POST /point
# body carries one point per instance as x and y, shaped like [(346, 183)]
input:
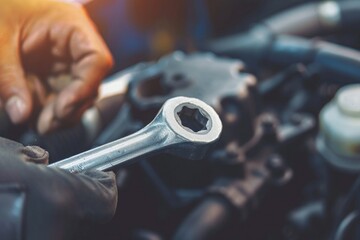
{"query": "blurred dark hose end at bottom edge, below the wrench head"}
[(207, 221)]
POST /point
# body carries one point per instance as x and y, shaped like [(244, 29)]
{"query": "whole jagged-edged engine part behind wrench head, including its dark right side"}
[(222, 83)]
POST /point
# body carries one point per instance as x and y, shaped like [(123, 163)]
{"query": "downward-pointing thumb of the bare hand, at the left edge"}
[(14, 92)]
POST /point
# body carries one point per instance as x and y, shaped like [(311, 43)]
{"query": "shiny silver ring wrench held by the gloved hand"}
[(184, 127)]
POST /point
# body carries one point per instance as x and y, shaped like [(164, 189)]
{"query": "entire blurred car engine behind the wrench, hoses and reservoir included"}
[(288, 160)]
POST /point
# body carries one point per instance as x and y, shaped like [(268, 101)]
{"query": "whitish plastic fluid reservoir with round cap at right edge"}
[(339, 138)]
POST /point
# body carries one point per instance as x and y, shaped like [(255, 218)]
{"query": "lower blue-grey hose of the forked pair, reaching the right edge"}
[(260, 48)]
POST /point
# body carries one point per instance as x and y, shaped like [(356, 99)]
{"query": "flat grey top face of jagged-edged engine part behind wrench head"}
[(201, 75)]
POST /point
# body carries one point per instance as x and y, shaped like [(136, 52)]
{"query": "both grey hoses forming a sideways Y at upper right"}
[(277, 40)]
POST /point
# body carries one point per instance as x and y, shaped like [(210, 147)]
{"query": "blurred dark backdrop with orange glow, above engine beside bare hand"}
[(139, 30)]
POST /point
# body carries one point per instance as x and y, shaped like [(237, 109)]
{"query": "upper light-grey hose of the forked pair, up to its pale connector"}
[(252, 45)]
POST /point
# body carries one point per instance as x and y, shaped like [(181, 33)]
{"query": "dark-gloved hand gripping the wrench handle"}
[(41, 203)]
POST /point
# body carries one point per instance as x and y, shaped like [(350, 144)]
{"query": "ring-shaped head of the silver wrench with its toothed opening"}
[(195, 126)]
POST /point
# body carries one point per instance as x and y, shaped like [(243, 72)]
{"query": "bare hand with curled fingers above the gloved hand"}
[(52, 61)]
